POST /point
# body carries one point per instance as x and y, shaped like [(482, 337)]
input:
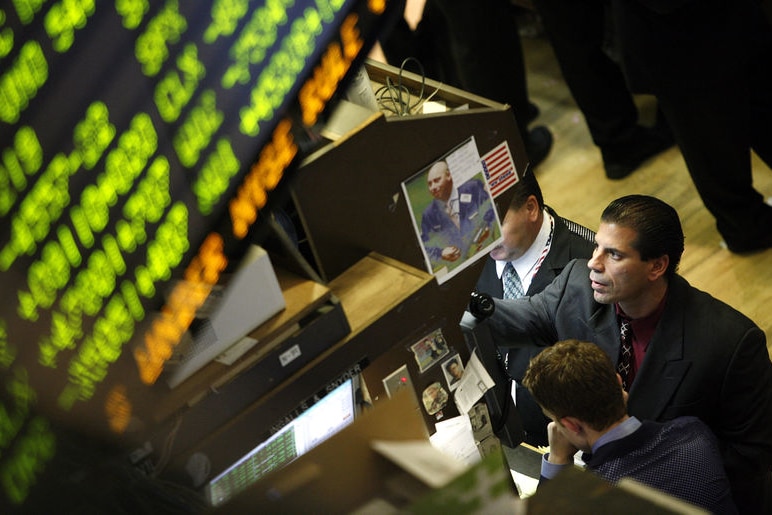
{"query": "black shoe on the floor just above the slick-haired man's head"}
[(644, 143)]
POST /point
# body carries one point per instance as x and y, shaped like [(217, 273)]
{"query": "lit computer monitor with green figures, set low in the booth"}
[(326, 417)]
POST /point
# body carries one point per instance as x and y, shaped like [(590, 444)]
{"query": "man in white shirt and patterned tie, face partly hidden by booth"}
[(538, 243)]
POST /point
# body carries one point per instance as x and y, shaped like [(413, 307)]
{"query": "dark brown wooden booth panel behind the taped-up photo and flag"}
[(363, 173)]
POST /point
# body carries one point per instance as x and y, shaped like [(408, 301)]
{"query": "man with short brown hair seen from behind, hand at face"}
[(578, 388)]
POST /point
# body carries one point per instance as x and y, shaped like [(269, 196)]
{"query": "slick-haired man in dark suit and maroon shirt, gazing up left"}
[(691, 353)]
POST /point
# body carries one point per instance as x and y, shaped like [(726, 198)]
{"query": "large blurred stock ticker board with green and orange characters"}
[(139, 142)]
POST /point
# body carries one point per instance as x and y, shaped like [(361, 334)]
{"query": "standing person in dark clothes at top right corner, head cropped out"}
[(709, 64)]
